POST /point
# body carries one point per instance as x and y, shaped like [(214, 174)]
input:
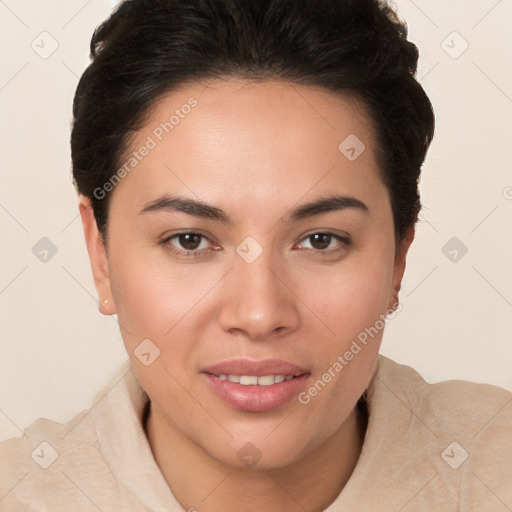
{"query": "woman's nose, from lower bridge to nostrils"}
[(258, 302)]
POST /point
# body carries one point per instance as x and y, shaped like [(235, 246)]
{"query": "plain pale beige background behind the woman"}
[(57, 350)]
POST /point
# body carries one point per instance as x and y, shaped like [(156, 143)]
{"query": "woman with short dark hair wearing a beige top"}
[(248, 178)]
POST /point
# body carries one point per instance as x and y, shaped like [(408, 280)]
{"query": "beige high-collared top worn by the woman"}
[(428, 447)]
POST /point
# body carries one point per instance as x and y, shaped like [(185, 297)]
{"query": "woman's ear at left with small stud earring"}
[(97, 256)]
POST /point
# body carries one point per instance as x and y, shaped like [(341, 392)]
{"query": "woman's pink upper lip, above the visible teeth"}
[(256, 368)]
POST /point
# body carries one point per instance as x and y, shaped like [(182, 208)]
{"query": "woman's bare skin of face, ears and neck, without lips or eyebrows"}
[(256, 151)]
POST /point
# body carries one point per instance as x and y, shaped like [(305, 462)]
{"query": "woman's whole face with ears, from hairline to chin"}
[(244, 243)]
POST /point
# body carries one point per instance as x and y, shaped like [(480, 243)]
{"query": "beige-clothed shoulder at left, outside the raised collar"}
[(54, 465)]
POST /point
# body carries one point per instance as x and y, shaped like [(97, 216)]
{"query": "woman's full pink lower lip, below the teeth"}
[(256, 398)]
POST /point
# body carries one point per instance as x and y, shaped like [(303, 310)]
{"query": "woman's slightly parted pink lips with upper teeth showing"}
[(255, 386)]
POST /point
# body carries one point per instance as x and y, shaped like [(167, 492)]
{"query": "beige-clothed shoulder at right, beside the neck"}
[(452, 439)]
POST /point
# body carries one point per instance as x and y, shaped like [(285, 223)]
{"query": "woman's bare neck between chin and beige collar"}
[(200, 481)]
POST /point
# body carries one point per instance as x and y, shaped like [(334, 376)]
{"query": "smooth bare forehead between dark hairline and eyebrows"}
[(253, 138)]
